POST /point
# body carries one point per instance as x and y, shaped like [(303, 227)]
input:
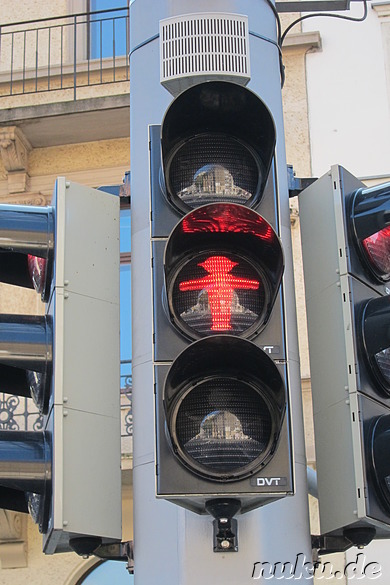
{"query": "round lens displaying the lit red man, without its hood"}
[(218, 294)]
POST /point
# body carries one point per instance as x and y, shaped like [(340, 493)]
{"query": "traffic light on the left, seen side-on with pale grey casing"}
[(67, 475)]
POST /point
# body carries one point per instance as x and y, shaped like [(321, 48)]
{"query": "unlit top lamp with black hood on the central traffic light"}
[(218, 141)]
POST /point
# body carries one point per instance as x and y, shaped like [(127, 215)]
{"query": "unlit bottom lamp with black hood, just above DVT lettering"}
[(224, 400)]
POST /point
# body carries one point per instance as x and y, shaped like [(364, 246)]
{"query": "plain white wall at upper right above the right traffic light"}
[(348, 99)]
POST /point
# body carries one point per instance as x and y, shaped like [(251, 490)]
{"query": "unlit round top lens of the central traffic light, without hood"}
[(213, 167)]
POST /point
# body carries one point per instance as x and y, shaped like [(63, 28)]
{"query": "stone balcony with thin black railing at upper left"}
[(65, 80)]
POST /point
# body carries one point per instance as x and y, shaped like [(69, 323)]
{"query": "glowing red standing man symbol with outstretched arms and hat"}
[(220, 285)]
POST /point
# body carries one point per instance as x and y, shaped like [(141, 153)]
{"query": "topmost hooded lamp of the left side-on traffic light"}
[(27, 247)]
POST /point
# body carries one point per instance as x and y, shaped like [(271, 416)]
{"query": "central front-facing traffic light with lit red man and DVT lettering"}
[(223, 429)]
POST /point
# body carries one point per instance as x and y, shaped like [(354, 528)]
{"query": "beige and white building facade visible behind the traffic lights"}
[(64, 110)]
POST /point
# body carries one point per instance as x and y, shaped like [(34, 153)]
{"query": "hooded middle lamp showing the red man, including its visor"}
[(223, 266)]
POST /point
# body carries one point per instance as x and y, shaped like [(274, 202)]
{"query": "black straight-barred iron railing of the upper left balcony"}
[(64, 53)]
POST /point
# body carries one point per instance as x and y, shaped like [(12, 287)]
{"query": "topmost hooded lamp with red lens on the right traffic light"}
[(370, 216)]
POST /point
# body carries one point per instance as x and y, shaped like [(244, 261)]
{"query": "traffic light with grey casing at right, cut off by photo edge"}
[(346, 252)]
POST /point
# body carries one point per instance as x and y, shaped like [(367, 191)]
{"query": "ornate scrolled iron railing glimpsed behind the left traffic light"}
[(19, 414)]
